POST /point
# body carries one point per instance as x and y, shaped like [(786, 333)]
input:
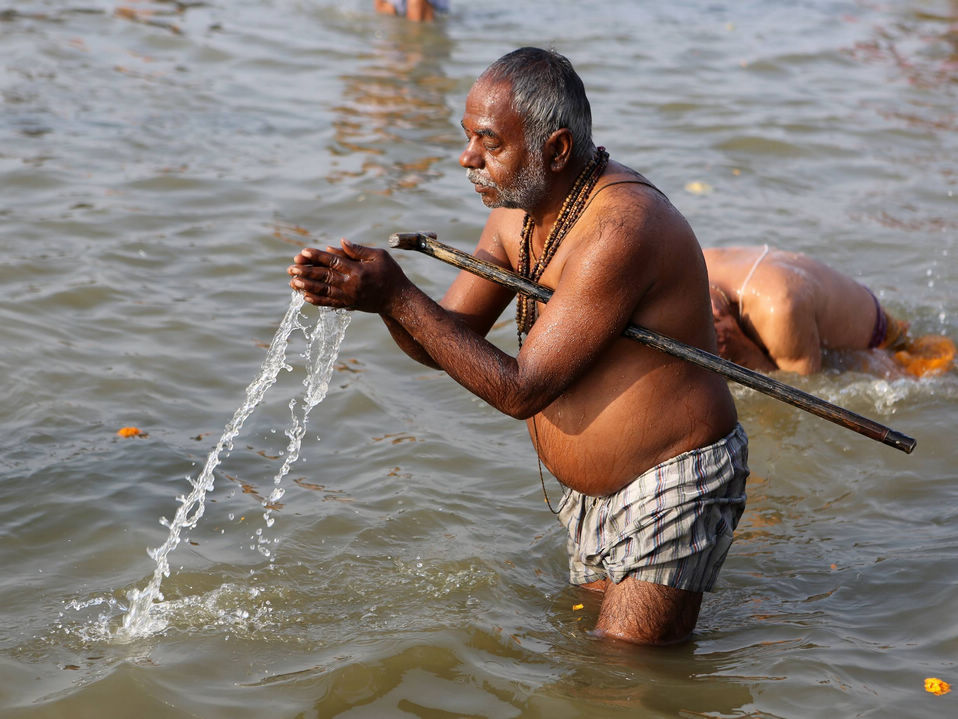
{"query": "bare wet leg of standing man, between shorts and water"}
[(646, 613)]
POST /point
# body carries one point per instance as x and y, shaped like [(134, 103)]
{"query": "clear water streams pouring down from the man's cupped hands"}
[(323, 340)]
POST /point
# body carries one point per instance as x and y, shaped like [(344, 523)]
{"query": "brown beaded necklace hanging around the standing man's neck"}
[(572, 208)]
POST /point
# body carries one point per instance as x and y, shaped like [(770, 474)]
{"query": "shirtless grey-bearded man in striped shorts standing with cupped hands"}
[(647, 446)]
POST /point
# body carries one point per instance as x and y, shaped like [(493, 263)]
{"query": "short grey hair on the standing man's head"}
[(548, 95)]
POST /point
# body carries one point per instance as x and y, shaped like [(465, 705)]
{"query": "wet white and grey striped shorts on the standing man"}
[(672, 525)]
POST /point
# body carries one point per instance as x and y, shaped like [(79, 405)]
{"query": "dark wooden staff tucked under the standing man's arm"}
[(426, 243)]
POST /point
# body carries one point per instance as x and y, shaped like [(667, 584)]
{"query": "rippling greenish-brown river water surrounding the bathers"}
[(160, 164)]
